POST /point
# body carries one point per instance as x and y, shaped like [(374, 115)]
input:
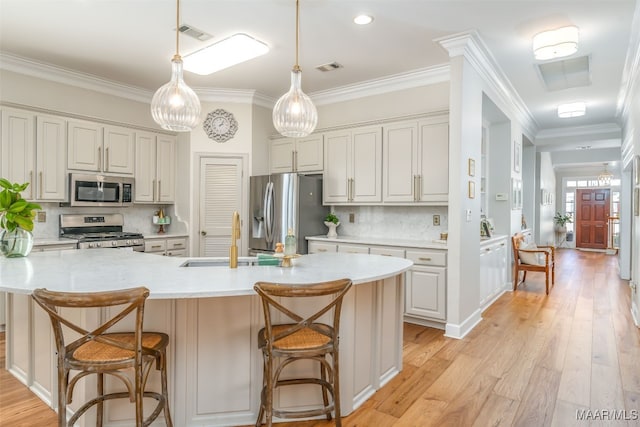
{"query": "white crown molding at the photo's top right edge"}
[(631, 72)]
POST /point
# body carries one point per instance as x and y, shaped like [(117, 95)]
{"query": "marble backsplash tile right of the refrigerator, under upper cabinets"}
[(402, 222)]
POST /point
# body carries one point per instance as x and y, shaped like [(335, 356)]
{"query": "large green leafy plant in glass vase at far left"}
[(14, 210)]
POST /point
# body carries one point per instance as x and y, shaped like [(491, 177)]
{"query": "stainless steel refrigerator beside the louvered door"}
[(282, 201)]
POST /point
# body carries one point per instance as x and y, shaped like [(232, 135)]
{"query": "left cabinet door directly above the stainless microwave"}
[(85, 146)]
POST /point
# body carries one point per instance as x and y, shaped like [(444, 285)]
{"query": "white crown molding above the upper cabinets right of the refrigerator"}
[(393, 83)]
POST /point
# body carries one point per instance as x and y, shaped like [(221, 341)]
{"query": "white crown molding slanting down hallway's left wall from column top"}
[(470, 45)]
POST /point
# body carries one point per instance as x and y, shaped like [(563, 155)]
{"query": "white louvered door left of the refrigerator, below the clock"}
[(220, 196)]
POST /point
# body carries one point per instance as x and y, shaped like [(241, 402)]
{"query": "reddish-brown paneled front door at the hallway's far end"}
[(592, 216)]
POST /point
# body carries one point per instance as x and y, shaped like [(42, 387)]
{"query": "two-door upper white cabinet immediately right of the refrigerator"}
[(353, 167)]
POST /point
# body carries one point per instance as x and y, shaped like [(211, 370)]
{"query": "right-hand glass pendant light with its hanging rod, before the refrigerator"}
[(294, 115)]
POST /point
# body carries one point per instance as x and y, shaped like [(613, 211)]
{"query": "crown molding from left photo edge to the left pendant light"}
[(18, 64)]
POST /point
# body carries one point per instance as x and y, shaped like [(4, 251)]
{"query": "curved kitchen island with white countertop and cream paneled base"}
[(212, 316)]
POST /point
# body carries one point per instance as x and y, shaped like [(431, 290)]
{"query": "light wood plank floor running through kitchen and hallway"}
[(533, 361)]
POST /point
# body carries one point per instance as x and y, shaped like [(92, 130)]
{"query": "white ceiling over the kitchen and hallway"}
[(132, 41)]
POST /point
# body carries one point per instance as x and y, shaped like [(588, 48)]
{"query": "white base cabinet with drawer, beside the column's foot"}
[(425, 293)]
